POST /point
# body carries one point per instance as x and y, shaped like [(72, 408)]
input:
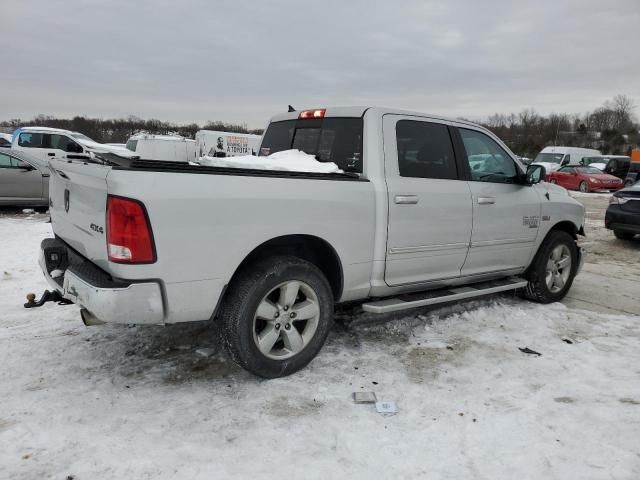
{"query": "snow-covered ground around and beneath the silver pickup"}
[(139, 402)]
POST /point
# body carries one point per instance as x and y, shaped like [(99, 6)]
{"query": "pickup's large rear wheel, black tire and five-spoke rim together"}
[(276, 316)]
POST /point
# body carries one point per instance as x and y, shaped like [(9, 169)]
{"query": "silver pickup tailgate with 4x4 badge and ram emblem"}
[(78, 201)]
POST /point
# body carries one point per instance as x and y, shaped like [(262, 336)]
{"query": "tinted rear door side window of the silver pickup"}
[(425, 150)]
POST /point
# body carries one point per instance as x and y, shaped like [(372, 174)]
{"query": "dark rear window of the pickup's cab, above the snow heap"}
[(337, 140)]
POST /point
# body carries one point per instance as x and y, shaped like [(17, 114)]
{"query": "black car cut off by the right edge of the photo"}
[(623, 214)]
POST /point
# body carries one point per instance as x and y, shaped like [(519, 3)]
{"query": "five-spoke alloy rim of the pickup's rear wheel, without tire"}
[(286, 320)]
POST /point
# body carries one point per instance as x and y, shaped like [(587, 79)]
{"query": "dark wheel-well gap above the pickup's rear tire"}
[(313, 249)]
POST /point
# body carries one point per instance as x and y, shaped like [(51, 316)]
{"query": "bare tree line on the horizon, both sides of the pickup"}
[(610, 128)]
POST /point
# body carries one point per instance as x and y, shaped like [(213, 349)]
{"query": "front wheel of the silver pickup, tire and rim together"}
[(553, 269)]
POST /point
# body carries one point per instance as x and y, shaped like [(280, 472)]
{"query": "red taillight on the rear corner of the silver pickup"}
[(129, 236)]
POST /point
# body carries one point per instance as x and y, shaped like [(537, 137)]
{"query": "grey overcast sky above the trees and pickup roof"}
[(193, 61)]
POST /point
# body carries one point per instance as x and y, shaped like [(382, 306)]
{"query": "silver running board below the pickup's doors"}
[(422, 299)]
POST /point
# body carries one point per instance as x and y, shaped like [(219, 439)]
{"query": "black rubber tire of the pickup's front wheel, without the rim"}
[(537, 289)]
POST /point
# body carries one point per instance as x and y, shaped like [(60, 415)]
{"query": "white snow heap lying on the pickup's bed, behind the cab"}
[(287, 160)]
